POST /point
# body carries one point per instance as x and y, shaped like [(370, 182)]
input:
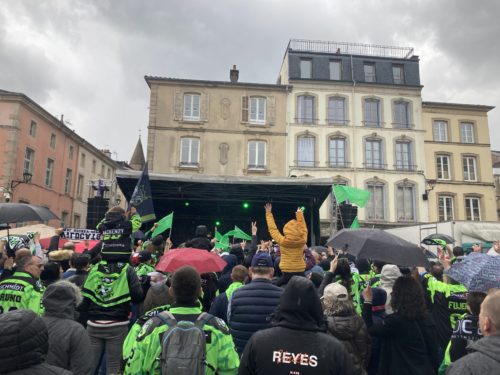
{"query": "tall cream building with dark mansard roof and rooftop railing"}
[(354, 115)]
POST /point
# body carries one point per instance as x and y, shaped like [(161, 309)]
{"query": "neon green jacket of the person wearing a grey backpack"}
[(145, 355)]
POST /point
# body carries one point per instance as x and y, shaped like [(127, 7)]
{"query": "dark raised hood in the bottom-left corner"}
[(24, 340)]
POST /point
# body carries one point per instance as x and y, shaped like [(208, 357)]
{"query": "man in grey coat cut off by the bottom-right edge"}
[(484, 354)]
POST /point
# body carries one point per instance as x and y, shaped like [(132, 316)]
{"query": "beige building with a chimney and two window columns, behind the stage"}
[(217, 128)]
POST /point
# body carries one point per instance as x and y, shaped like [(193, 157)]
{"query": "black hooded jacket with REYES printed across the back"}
[(297, 343)]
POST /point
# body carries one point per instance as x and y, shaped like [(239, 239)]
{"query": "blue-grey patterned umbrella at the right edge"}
[(478, 272)]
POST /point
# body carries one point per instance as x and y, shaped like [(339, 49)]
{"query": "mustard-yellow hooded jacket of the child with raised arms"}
[(292, 243)]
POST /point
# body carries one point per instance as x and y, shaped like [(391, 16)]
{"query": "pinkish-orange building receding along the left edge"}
[(46, 163)]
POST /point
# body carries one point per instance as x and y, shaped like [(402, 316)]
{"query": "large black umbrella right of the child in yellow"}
[(377, 244)]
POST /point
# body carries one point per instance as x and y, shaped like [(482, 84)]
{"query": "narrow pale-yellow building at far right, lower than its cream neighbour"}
[(459, 174)]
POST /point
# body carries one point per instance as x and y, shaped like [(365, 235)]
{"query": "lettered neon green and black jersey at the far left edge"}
[(21, 291)]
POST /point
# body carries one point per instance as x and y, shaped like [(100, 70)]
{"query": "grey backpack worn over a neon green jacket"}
[(183, 345)]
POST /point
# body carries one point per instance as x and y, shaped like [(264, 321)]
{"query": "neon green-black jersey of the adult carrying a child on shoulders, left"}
[(106, 288)]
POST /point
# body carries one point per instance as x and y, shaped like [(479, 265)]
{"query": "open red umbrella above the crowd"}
[(202, 260)]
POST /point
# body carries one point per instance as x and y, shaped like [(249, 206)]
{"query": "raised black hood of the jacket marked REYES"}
[(300, 306)]
